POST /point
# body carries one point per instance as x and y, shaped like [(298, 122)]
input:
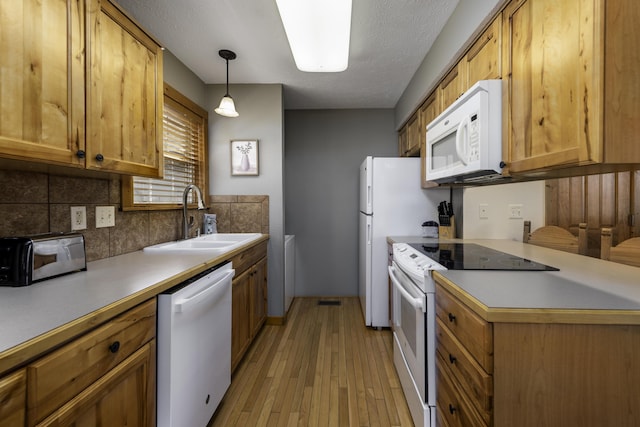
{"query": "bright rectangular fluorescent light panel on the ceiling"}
[(318, 32)]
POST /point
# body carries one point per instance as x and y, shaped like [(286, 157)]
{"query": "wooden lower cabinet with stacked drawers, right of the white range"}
[(533, 374)]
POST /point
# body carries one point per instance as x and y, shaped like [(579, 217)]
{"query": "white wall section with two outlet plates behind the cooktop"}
[(498, 225)]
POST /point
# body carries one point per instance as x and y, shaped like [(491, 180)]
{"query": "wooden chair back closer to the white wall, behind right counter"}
[(554, 237)]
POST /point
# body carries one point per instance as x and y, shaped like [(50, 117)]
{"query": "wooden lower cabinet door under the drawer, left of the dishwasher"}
[(124, 396)]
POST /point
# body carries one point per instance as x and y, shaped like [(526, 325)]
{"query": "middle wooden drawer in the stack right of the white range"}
[(472, 379)]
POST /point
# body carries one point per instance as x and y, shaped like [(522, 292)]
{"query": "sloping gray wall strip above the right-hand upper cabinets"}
[(465, 22)]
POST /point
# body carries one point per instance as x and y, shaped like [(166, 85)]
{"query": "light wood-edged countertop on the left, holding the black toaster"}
[(53, 311)]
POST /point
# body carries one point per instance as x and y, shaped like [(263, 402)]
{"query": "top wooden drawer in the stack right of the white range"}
[(471, 330)]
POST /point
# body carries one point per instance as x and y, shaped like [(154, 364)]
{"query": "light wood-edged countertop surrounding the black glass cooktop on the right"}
[(584, 290)]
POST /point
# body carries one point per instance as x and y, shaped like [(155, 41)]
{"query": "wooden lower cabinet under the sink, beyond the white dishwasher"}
[(248, 299)]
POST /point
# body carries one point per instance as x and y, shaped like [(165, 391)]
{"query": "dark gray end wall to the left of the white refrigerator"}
[(323, 152)]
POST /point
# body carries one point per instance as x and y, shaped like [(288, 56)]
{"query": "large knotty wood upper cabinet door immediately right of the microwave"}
[(553, 116)]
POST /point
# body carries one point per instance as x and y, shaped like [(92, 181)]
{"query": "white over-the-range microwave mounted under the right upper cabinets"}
[(464, 143)]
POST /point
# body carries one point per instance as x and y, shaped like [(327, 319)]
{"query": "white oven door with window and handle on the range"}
[(409, 308)]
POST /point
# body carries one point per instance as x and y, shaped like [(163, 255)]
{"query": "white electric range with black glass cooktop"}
[(413, 306)]
